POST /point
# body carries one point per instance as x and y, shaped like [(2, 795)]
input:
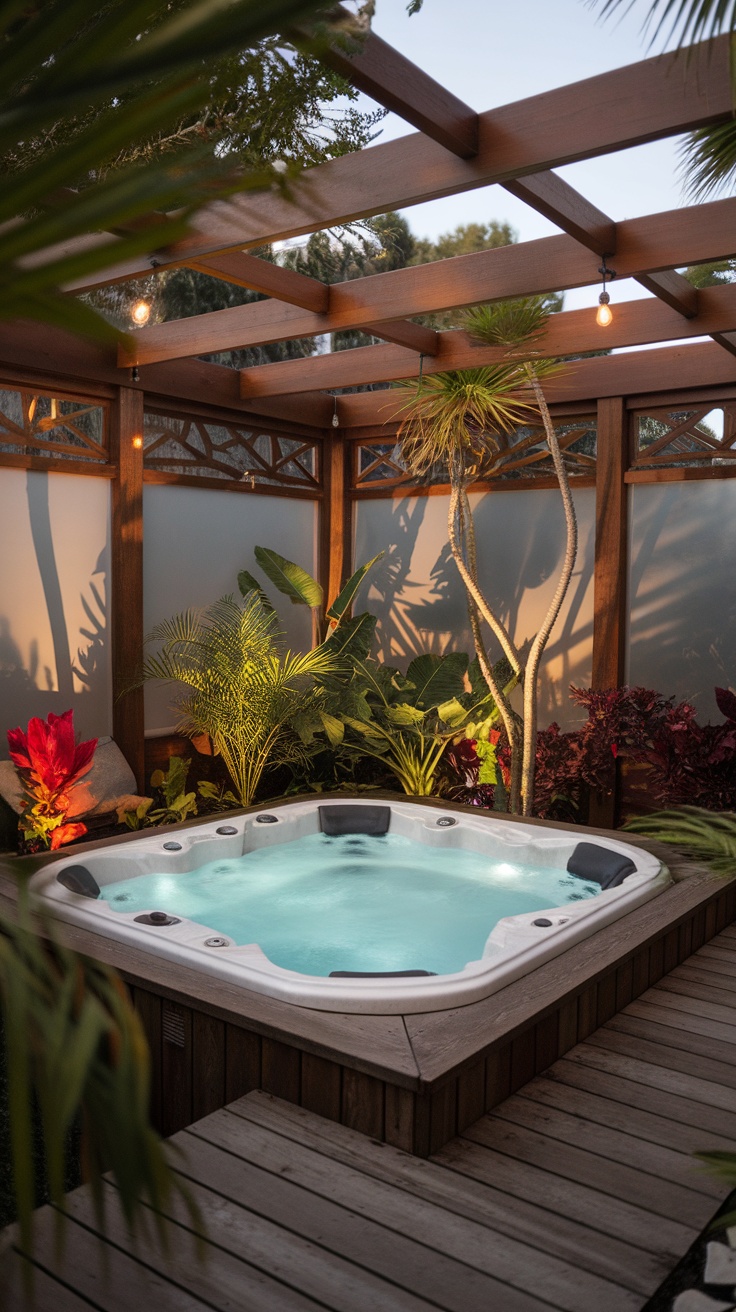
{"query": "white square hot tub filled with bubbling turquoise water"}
[(356, 906)]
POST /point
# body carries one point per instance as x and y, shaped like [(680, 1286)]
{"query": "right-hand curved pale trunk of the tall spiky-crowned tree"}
[(546, 628)]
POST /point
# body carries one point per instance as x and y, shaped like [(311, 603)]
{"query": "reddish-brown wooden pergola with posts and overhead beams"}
[(455, 150)]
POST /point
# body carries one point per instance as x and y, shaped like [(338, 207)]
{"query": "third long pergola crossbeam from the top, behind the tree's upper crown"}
[(570, 334)]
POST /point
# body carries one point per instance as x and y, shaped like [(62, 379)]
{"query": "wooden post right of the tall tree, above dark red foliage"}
[(612, 553)]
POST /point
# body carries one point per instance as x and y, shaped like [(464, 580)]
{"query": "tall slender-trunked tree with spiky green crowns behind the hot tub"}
[(455, 423)]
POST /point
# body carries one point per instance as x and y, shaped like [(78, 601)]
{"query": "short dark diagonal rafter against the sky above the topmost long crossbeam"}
[(378, 70)]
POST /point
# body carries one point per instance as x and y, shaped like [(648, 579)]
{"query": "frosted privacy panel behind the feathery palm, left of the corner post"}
[(195, 544)]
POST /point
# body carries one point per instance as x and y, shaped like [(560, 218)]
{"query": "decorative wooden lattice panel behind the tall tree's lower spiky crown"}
[(520, 456)]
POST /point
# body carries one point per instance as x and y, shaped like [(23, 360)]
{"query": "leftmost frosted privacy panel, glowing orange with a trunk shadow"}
[(54, 586)]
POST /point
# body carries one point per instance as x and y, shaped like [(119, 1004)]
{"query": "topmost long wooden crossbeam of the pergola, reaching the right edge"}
[(642, 103)]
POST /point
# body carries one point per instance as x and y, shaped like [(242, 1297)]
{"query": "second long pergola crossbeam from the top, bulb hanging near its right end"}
[(644, 246)]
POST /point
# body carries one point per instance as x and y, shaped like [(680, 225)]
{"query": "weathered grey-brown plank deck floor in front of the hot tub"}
[(577, 1193)]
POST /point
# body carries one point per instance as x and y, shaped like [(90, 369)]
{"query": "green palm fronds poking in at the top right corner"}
[(709, 154)]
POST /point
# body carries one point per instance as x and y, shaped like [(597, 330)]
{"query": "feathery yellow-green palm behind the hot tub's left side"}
[(237, 687)]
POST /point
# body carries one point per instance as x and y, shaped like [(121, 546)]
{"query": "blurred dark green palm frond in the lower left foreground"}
[(75, 1048)]
